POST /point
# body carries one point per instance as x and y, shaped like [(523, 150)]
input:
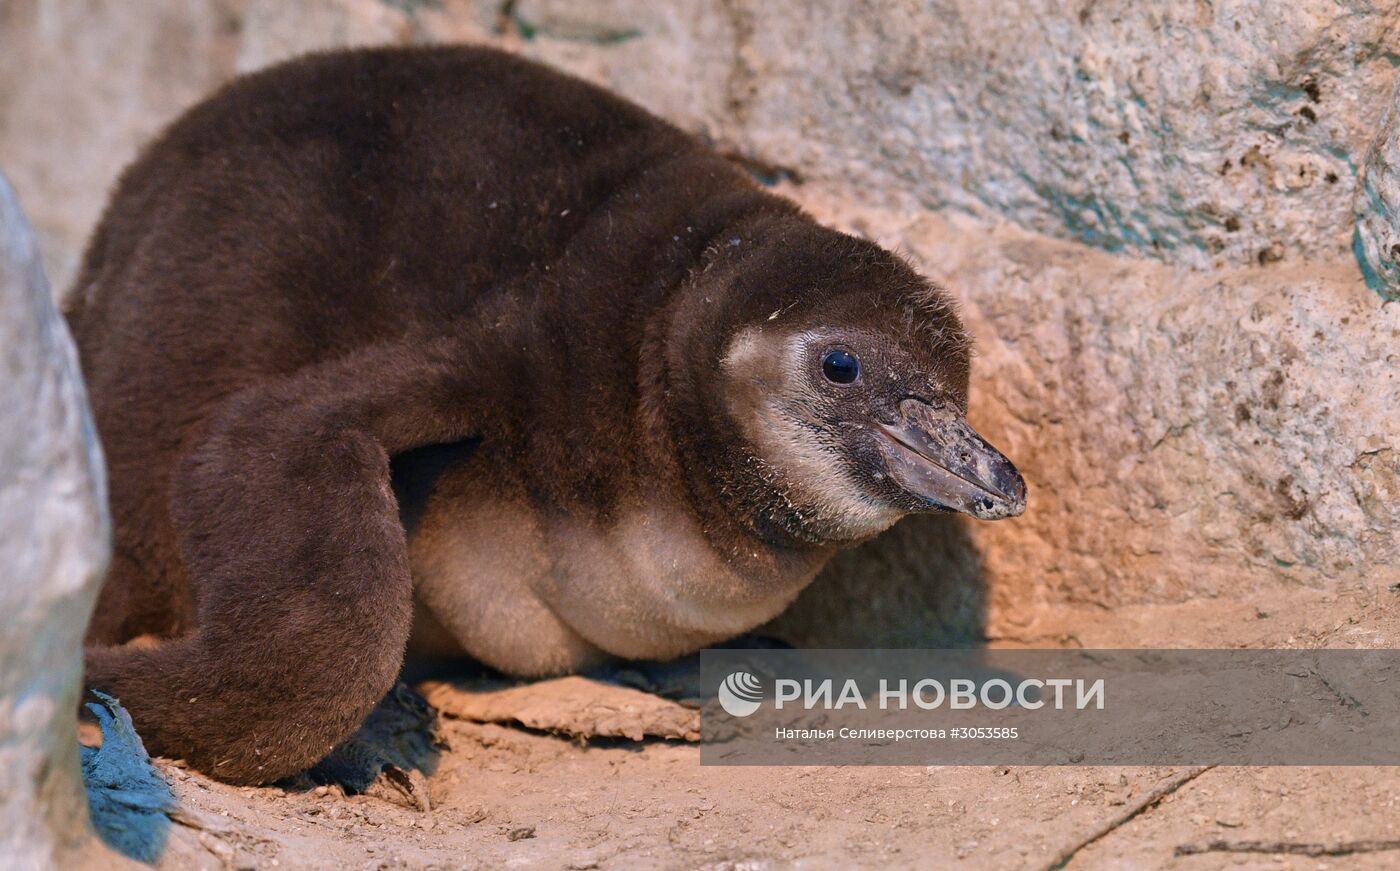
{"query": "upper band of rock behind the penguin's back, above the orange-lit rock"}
[(1192, 132)]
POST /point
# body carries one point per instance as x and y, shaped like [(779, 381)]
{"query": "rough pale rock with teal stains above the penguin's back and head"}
[(1186, 131)]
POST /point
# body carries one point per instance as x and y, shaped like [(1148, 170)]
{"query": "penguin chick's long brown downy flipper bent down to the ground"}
[(290, 534)]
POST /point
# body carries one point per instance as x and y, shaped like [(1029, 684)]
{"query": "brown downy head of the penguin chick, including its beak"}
[(845, 376)]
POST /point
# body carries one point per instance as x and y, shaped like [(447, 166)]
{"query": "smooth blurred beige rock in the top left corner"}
[(83, 86)]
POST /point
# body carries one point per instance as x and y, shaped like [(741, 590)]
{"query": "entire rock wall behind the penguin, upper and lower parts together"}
[(1147, 209)]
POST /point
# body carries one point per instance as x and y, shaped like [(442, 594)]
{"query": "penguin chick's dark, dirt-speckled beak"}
[(932, 453)]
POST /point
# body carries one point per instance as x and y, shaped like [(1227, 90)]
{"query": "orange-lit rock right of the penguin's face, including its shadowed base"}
[(1184, 436)]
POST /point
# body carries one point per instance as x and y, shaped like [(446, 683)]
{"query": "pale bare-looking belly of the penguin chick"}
[(535, 600)]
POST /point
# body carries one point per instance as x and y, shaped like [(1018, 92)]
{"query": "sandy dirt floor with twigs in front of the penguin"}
[(507, 796)]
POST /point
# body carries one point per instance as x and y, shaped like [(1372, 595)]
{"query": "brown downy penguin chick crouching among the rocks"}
[(440, 340)]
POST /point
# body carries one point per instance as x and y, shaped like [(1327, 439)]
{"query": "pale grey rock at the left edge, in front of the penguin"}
[(54, 548)]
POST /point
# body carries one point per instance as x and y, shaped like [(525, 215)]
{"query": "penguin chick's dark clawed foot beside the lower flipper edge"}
[(390, 757)]
